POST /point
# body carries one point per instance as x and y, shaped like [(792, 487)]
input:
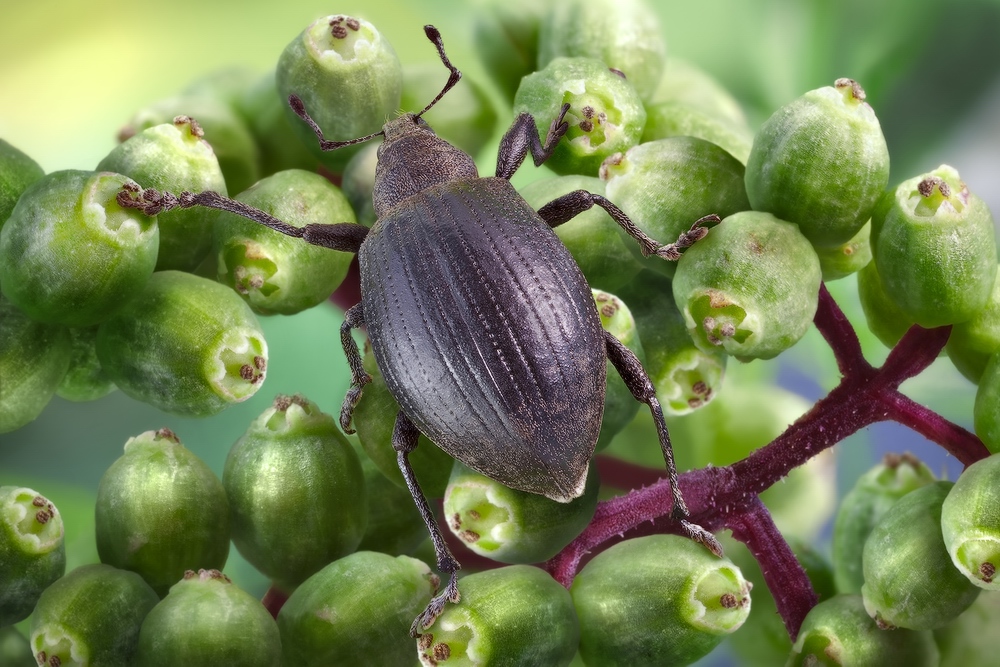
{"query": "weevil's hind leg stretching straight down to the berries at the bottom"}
[(404, 440)]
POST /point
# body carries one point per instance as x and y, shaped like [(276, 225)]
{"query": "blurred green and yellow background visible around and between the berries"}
[(71, 73)]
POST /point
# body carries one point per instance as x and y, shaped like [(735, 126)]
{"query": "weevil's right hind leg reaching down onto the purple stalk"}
[(638, 382)]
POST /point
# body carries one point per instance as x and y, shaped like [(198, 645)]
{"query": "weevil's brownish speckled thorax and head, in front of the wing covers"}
[(412, 158)]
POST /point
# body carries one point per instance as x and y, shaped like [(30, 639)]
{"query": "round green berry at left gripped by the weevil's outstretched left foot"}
[(69, 254)]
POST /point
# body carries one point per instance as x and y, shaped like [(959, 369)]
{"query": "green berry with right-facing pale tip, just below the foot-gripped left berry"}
[(185, 344)]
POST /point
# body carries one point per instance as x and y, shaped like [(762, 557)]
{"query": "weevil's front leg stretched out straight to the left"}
[(345, 236)]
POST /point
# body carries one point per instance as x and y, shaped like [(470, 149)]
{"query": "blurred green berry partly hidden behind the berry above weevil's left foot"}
[(224, 130)]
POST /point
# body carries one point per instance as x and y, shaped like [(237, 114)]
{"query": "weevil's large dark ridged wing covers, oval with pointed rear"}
[(487, 334)]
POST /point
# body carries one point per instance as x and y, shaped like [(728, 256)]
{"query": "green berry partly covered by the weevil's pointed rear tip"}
[(512, 526)]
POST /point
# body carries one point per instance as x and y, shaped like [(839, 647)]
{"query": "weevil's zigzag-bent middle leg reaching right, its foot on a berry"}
[(565, 208)]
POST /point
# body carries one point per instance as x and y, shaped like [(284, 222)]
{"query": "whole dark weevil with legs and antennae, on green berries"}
[(479, 319)]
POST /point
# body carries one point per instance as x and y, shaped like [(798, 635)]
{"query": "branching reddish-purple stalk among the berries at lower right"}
[(728, 496)]
